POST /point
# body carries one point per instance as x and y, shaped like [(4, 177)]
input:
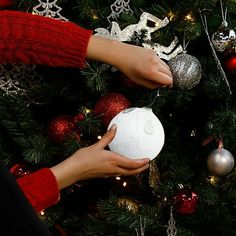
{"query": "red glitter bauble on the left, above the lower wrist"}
[(60, 127)]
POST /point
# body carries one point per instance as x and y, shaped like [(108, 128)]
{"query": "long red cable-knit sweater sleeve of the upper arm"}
[(33, 39)]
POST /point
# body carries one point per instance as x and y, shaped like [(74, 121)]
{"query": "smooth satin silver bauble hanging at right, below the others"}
[(220, 162)]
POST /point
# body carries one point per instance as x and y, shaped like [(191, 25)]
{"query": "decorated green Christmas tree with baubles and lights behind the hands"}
[(49, 113)]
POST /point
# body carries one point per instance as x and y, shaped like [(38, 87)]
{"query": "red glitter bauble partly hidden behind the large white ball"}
[(110, 105)]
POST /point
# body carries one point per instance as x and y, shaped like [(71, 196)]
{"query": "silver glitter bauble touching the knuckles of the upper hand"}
[(186, 71)]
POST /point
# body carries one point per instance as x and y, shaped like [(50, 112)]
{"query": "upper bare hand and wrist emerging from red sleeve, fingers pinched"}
[(140, 64)]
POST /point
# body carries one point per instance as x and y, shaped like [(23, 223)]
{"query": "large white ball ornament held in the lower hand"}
[(139, 134)]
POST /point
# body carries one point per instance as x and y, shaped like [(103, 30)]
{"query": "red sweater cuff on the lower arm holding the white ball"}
[(40, 188)]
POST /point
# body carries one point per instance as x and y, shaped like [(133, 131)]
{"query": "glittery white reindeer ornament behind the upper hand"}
[(126, 34)]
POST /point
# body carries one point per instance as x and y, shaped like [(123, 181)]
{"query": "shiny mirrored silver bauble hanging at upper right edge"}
[(223, 39)]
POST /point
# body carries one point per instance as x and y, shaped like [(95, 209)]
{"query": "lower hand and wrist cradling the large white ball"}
[(96, 162)]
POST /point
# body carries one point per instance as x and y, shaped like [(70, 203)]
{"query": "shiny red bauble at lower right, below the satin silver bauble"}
[(186, 201)]
